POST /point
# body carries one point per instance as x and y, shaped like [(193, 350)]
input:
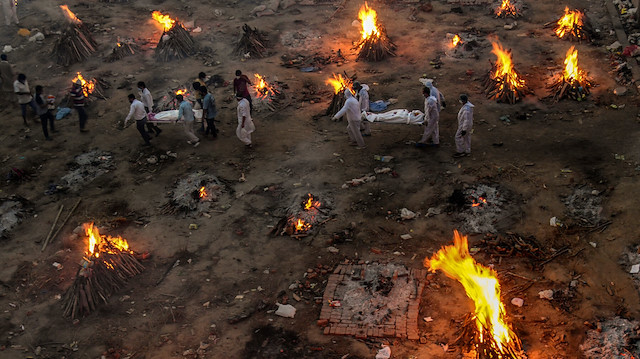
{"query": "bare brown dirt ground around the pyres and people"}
[(218, 302)]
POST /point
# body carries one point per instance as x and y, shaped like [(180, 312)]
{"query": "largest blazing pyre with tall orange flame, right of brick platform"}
[(487, 333)]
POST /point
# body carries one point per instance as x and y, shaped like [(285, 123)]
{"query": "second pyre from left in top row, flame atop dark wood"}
[(176, 42)]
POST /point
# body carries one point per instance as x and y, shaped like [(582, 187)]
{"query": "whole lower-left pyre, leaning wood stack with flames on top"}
[(105, 268)]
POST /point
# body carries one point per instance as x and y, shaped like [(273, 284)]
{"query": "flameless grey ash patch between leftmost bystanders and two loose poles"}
[(85, 168)]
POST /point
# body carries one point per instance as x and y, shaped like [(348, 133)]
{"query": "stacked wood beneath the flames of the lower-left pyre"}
[(97, 280)]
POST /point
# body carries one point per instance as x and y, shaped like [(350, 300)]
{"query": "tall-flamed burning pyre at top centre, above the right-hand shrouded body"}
[(374, 44)]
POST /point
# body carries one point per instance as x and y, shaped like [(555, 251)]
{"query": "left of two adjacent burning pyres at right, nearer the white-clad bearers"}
[(503, 82)]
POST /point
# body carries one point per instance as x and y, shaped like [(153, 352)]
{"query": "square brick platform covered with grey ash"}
[(366, 311)]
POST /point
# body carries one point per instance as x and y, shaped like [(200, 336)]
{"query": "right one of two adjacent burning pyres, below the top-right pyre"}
[(572, 82)]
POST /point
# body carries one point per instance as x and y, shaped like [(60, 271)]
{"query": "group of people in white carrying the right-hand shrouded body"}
[(357, 103)]
